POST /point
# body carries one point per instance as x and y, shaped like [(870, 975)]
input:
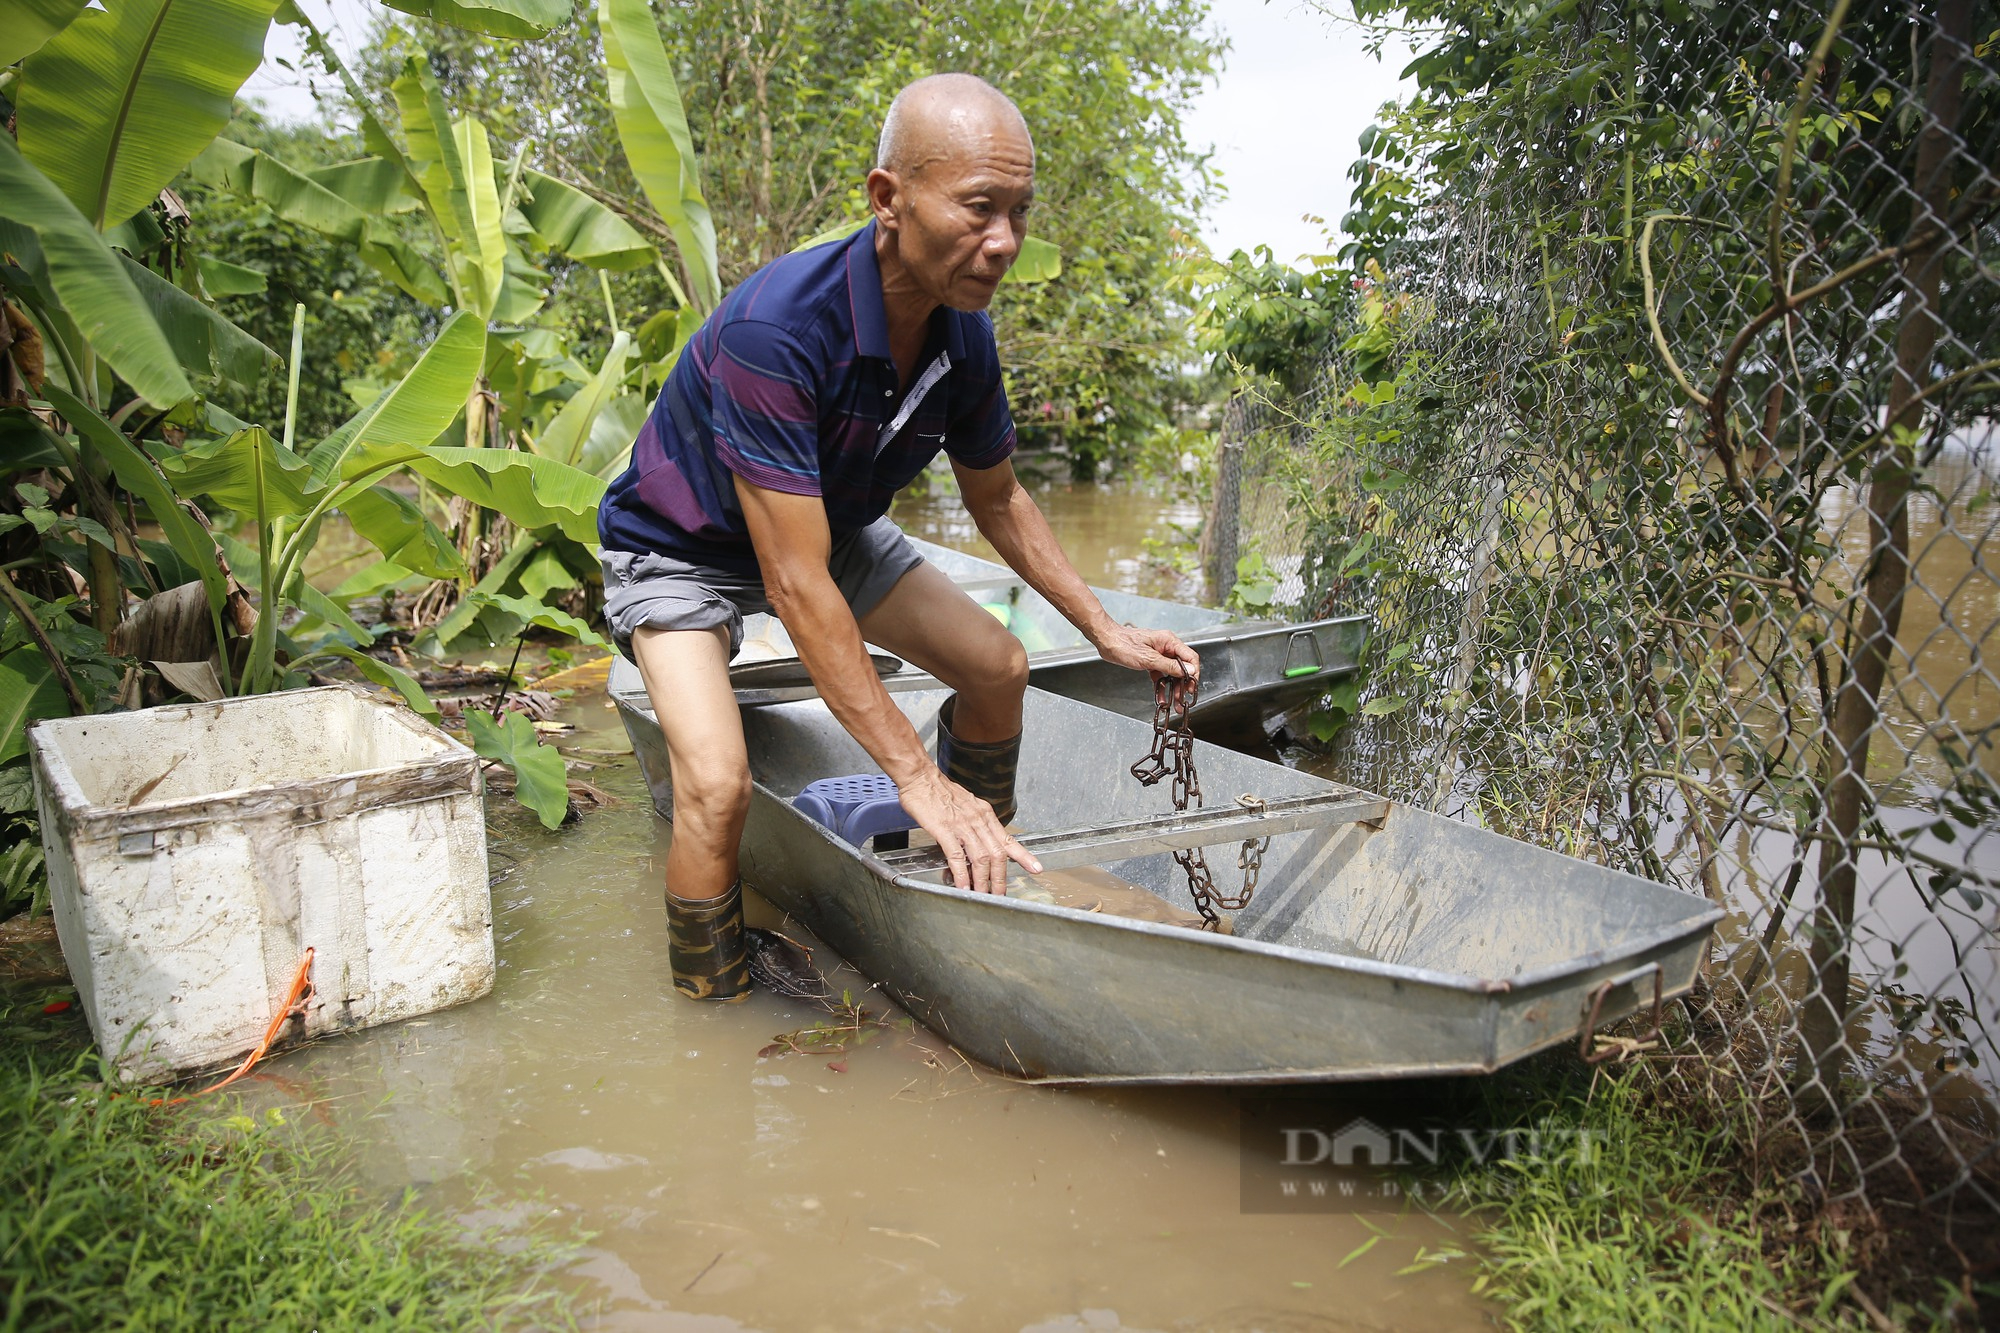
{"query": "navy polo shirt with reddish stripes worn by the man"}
[(791, 387)]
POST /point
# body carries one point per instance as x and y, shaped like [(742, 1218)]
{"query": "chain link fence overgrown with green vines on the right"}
[(1663, 449)]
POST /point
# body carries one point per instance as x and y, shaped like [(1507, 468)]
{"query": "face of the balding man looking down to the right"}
[(965, 213)]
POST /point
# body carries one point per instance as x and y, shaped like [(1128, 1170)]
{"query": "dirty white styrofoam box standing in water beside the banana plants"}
[(197, 852)]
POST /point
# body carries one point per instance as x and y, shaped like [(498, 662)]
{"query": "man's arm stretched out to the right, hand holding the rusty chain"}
[(1009, 517)]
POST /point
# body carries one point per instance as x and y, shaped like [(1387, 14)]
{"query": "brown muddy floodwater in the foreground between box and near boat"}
[(885, 1186)]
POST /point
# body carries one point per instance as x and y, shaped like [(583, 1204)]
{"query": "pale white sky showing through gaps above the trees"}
[(1297, 91)]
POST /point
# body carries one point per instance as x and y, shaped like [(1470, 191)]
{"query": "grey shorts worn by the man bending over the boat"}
[(669, 593)]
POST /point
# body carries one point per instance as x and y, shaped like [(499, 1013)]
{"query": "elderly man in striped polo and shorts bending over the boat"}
[(763, 479)]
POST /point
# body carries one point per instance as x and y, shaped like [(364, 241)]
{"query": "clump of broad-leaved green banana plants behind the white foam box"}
[(103, 295)]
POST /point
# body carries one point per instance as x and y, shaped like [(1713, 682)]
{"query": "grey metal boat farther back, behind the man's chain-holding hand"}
[(1251, 670)]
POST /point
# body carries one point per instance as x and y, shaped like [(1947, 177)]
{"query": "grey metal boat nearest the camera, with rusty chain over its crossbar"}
[(1383, 942)]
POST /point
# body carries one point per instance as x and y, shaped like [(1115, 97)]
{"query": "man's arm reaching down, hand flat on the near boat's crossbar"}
[(793, 545)]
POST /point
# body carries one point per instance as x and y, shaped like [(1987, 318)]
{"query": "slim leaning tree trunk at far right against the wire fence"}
[(1857, 706)]
